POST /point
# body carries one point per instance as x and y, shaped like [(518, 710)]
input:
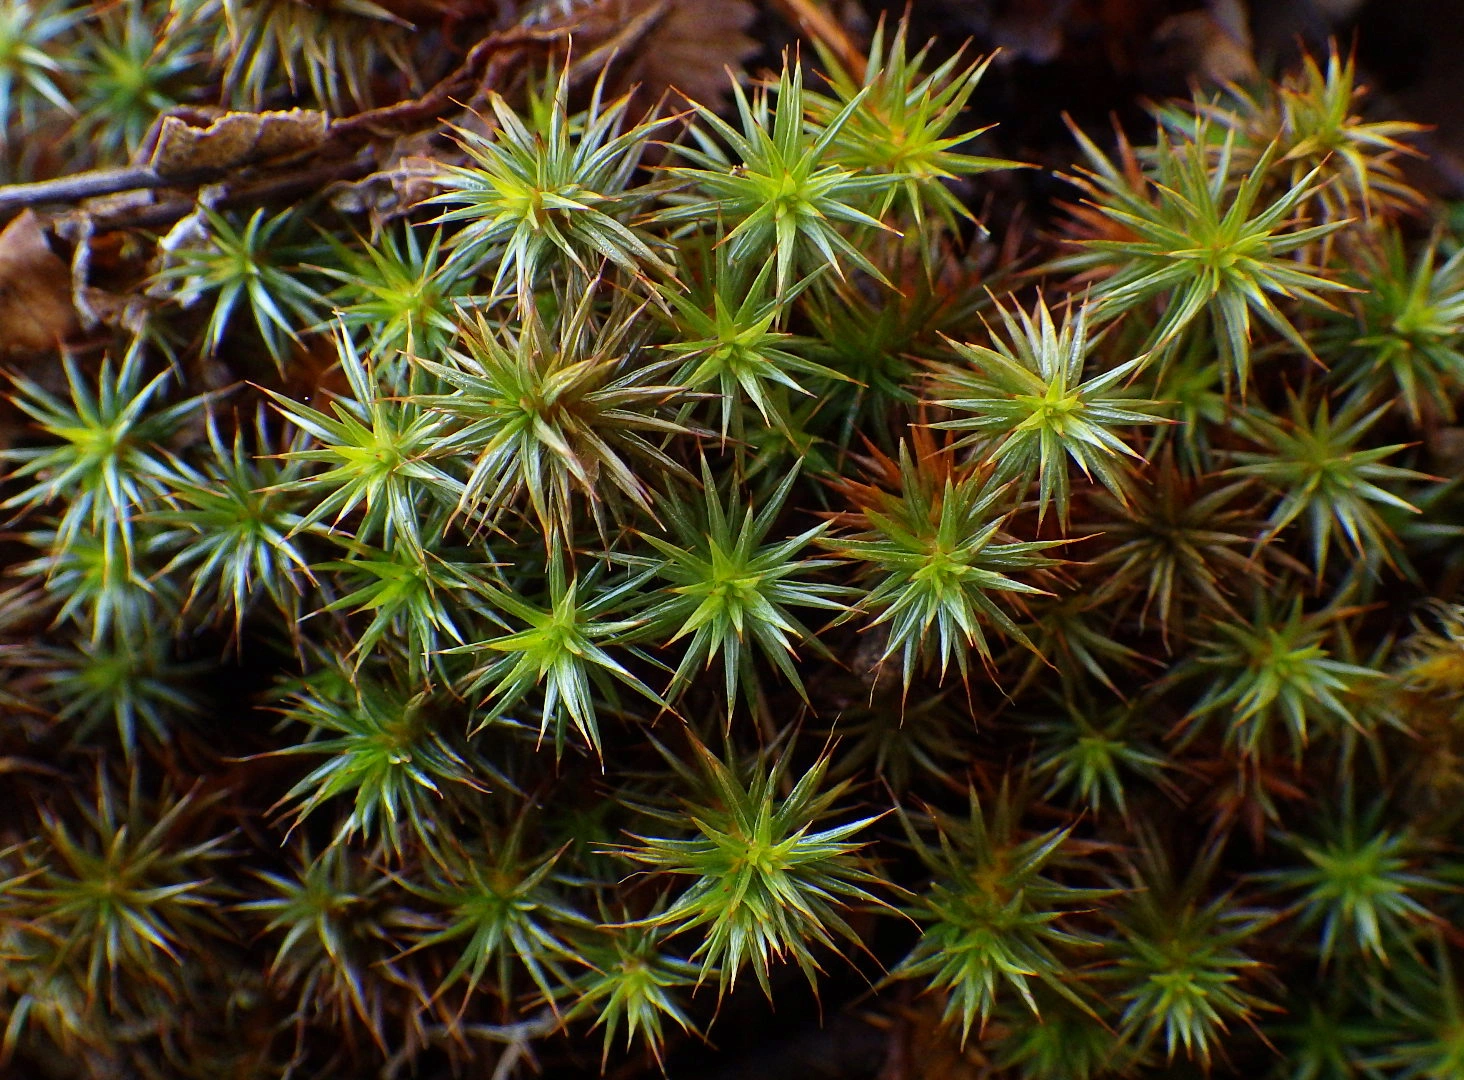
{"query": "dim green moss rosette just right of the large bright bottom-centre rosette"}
[(993, 914)]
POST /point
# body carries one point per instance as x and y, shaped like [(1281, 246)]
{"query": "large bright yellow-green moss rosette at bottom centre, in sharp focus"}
[(768, 883)]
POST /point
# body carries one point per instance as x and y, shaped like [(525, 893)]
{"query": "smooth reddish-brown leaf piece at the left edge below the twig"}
[(36, 290)]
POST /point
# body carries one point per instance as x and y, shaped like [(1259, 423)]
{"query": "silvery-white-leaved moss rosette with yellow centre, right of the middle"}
[(1028, 408)]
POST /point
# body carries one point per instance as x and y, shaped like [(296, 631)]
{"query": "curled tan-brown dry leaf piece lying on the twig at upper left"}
[(235, 140)]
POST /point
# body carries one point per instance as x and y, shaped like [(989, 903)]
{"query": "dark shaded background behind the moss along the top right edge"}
[(1097, 59)]
